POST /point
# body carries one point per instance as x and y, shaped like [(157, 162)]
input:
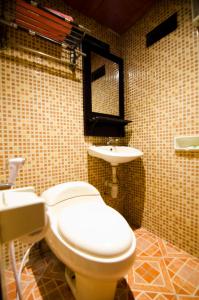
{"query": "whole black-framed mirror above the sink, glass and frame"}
[(103, 90)]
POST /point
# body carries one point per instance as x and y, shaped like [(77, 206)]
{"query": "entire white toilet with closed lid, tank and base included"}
[(92, 239)]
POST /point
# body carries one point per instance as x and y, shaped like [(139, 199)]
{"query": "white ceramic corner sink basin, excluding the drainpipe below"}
[(115, 154)]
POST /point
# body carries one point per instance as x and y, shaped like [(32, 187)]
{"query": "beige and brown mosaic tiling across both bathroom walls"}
[(42, 120)]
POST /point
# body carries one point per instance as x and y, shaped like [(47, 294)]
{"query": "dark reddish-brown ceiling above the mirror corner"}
[(118, 15)]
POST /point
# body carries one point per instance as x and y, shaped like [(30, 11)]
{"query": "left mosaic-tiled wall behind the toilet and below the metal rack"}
[(41, 104)]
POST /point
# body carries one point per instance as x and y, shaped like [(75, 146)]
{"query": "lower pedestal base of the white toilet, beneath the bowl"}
[(85, 288)]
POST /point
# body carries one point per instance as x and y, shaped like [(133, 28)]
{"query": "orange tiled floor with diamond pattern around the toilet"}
[(160, 272)]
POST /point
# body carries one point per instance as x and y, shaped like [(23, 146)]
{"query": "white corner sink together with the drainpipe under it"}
[(115, 155)]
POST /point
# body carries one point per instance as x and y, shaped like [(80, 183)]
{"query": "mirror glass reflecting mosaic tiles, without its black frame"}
[(104, 85)]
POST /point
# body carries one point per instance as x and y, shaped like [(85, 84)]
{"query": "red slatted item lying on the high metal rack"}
[(40, 21)]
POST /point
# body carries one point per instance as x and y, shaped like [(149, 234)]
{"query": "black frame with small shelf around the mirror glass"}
[(99, 124)]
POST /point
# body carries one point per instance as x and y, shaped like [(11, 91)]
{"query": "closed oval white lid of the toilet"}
[(95, 229)]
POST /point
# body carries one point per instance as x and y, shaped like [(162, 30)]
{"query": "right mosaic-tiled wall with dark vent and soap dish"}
[(162, 95)]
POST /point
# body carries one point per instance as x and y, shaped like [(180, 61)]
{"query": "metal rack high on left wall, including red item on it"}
[(50, 25)]
